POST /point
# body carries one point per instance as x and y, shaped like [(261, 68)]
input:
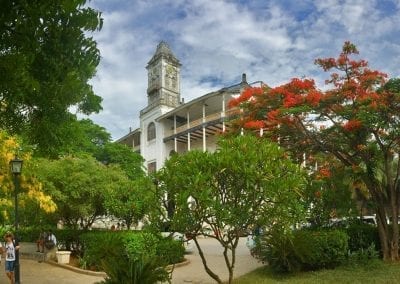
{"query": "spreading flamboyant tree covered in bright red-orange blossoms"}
[(355, 121)]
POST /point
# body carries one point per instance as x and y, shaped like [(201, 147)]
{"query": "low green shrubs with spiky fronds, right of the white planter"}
[(126, 257)]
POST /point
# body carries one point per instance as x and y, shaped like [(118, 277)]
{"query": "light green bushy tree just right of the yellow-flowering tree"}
[(78, 186)]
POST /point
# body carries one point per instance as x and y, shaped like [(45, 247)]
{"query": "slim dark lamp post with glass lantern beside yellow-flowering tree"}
[(16, 168)]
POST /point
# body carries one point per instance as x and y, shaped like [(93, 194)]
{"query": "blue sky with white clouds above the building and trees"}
[(218, 40)]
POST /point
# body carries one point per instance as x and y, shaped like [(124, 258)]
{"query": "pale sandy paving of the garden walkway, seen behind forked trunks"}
[(35, 271)]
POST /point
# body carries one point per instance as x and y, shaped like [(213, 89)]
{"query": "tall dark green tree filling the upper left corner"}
[(47, 58)]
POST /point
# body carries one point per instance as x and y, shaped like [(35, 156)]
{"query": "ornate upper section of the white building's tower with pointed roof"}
[(163, 78)]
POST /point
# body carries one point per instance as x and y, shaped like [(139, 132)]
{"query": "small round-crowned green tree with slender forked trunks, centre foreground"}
[(247, 182)]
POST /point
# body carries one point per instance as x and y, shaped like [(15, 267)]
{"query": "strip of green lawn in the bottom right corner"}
[(374, 272)]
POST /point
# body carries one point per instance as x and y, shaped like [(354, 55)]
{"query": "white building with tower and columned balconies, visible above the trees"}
[(167, 124)]
